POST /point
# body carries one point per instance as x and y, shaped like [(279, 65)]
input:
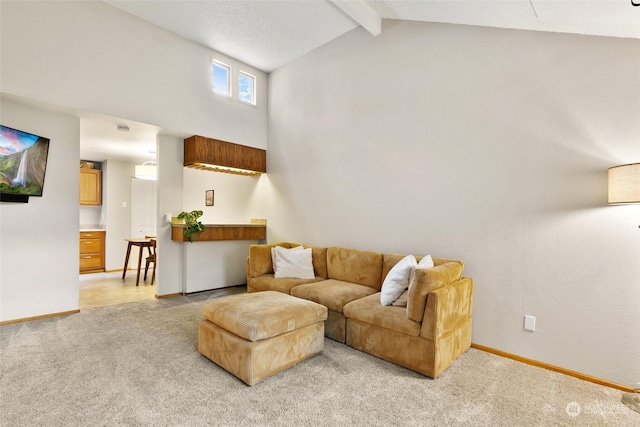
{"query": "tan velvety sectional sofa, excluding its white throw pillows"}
[(425, 336)]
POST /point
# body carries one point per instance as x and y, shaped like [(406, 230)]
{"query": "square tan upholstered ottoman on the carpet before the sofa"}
[(256, 335)]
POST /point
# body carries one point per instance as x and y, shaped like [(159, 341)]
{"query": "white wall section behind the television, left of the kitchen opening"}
[(39, 257)]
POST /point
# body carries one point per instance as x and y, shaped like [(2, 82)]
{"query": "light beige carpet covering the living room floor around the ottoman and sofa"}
[(137, 364)]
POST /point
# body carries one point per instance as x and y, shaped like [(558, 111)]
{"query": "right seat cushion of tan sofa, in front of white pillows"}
[(369, 310)]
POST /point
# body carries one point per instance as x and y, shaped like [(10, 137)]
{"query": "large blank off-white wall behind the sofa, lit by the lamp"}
[(482, 144)]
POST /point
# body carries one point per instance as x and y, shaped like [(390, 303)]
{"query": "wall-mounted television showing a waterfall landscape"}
[(23, 163)]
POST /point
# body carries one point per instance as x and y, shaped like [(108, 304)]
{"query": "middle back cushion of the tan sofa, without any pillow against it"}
[(355, 266)]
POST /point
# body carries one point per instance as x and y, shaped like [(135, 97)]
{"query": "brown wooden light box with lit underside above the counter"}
[(221, 156)]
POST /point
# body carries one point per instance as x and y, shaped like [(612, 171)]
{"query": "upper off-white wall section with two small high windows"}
[(91, 56)]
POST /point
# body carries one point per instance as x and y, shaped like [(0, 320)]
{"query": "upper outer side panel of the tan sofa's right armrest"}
[(448, 308)]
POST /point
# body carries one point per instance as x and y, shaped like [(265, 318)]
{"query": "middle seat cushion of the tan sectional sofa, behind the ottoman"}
[(333, 294)]
